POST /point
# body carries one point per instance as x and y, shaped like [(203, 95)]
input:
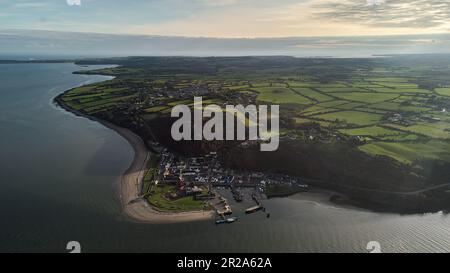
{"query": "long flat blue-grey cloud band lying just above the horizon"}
[(47, 42)]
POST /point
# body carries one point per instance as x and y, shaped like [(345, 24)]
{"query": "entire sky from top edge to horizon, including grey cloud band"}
[(224, 27)]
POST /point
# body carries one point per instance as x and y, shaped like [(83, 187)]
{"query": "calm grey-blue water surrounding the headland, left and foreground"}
[(59, 176)]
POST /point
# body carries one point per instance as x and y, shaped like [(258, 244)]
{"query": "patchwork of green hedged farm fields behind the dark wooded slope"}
[(383, 111)]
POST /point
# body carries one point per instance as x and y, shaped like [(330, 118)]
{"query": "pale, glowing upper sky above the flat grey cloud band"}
[(230, 18)]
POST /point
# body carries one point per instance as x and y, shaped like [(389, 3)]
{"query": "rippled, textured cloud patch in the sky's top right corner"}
[(387, 13)]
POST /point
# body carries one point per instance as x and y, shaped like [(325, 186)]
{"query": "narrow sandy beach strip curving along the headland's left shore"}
[(134, 207)]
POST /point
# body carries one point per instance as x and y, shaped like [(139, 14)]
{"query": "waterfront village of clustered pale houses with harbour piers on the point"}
[(204, 179)]
